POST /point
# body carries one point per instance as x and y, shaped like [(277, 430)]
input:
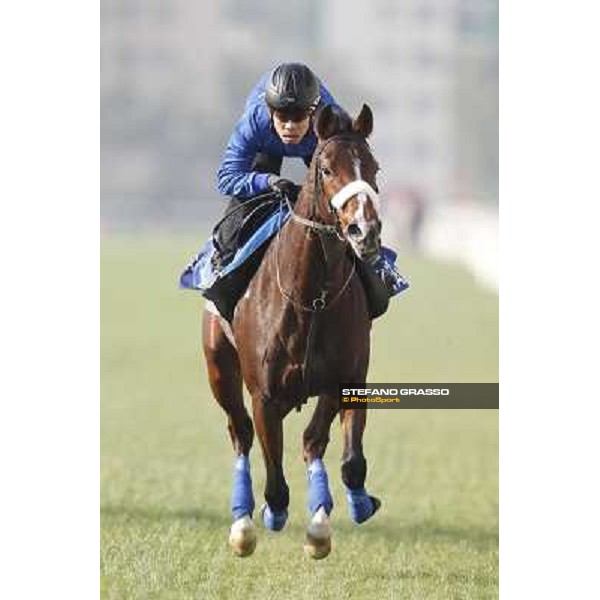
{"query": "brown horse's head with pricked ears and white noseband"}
[(345, 173)]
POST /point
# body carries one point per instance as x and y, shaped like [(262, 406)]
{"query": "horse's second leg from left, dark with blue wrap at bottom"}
[(268, 421)]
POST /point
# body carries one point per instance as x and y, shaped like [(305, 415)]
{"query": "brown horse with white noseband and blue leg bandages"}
[(301, 329)]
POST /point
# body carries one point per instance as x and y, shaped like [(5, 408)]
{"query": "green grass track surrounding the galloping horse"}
[(166, 458)]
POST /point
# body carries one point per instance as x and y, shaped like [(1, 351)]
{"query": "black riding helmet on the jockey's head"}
[(292, 86)]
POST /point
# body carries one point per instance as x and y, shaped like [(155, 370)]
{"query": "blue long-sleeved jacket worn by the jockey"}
[(254, 133)]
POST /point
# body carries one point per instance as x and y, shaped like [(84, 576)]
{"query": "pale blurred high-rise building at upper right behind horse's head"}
[(429, 67)]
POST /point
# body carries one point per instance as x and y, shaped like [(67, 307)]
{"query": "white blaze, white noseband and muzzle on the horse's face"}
[(359, 204)]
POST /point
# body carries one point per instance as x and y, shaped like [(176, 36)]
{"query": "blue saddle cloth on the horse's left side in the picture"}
[(225, 285)]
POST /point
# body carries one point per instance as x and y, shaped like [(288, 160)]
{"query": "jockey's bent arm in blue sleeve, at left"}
[(235, 176)]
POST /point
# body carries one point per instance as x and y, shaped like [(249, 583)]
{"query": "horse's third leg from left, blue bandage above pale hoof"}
[(320, 503)]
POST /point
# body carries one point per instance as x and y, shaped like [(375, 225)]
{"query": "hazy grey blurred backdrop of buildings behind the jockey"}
[(175, 74)]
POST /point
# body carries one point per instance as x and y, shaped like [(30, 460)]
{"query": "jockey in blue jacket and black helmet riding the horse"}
[(276, 123)]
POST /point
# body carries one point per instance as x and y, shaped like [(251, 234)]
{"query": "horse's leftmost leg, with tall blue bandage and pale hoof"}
[(225, 379)]
